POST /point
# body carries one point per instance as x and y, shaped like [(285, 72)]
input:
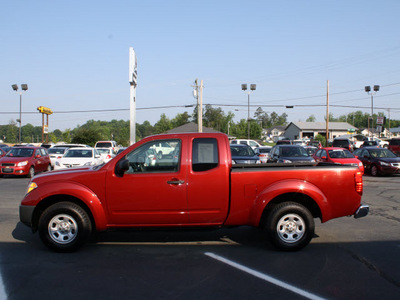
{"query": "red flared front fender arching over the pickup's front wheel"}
[(47, 194)]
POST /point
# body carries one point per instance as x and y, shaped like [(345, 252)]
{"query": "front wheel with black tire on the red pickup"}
[(64, 227)]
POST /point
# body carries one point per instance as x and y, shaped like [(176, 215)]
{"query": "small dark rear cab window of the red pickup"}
[(204, 154)]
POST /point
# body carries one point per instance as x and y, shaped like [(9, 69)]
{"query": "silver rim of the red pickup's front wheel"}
[(63, 229)]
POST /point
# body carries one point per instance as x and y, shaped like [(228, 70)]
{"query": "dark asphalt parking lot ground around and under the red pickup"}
[(348, 259)]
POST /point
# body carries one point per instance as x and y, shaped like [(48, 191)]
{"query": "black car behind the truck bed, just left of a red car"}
[(289, 154)]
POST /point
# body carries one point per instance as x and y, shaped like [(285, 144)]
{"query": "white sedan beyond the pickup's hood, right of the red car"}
[(79, 157)]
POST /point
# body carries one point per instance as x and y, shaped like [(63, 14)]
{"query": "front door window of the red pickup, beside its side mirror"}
[(155, 157)]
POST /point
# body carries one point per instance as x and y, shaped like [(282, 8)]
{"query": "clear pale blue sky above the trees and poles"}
[(74, 56)]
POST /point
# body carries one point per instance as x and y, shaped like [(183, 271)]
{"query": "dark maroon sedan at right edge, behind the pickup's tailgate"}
[(378, 161)]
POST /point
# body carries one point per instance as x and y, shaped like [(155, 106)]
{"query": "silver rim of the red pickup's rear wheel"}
[(291, 228)]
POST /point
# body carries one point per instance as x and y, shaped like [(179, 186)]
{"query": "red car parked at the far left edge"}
[(26, 161)]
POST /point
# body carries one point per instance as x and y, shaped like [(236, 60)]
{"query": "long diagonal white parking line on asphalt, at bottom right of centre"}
[(265, 277)]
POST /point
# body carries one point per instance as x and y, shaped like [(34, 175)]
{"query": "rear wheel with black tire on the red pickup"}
[(290, 226)]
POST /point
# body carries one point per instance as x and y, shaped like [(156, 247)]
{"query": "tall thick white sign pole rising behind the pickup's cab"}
[(132, 94)]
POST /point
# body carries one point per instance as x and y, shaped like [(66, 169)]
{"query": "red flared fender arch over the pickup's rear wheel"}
[(289, 186)]
